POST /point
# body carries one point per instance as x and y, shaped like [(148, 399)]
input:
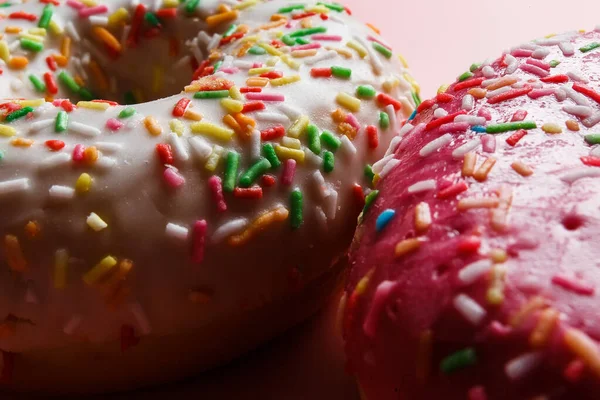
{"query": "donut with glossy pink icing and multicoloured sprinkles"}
[(474, 267)]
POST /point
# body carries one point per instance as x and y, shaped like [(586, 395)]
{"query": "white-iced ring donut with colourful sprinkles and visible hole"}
[(179, 180)]
